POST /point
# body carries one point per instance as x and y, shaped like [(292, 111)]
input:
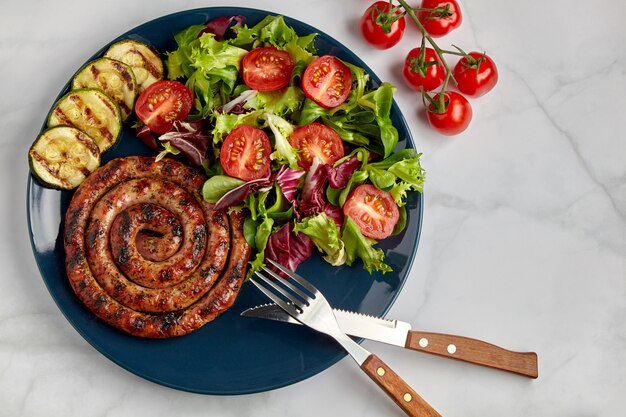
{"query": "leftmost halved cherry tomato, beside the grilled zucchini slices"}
[(162, 103)]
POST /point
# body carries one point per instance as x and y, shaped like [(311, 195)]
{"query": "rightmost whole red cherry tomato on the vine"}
[(475, 74)]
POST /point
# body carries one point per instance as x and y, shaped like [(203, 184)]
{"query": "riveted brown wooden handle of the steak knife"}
[(474, 351)]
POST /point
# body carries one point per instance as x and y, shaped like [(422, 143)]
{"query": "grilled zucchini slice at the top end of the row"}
[(142, 59)]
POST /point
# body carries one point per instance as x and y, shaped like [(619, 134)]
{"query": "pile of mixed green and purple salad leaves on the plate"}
[(291, 211)]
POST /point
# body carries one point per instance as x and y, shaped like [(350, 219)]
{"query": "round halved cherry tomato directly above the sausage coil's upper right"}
[(245, 153)]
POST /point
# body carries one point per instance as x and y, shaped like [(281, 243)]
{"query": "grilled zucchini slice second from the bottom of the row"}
[(91, 111)]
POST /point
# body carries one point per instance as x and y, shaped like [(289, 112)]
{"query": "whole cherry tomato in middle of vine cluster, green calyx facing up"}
[(423, 70)]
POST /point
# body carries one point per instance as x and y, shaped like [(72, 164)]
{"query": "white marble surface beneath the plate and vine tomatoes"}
[(524, 237)]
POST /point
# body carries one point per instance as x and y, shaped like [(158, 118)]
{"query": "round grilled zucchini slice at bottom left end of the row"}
[(63, 156)]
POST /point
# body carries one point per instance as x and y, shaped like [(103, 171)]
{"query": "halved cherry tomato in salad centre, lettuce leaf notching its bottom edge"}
[(316, 139)]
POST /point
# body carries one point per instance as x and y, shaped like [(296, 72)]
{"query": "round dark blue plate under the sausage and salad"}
[(233, 354)]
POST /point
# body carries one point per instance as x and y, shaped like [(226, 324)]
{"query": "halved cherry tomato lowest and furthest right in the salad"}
[(374, 211)]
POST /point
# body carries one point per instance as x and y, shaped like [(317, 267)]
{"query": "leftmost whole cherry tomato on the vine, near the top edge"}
[(382, 25)]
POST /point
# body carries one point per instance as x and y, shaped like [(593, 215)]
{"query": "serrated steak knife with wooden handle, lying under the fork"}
[(399, 333)]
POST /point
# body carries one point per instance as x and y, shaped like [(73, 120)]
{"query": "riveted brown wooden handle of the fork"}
[(399, 391)]
